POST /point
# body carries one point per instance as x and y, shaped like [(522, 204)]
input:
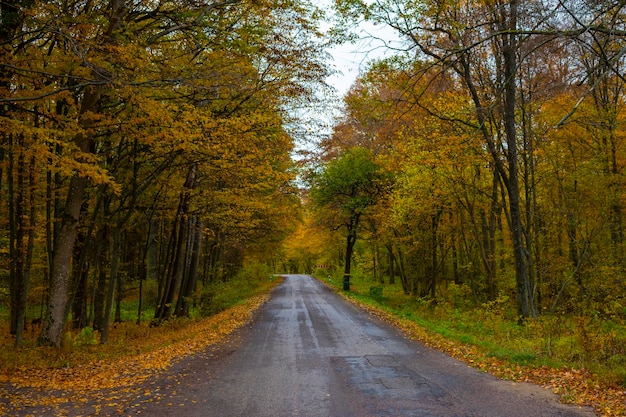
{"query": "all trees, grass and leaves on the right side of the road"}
[(492, 218)]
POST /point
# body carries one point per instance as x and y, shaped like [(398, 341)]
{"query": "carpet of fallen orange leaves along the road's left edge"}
[(108, 385)]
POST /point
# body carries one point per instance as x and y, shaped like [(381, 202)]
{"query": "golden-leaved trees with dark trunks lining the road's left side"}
[(126, 105)]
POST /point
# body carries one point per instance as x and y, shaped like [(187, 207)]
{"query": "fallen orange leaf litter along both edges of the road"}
[(107, 387)]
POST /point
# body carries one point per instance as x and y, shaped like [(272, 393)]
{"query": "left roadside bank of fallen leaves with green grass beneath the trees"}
[(109, 375)]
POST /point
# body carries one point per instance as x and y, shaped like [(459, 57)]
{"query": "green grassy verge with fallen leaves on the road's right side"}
[(579, 358)]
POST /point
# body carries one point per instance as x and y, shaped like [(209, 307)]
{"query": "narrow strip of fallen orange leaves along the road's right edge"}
[(574, 386)]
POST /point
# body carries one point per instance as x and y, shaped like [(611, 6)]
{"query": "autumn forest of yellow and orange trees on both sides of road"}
[(158, 156)]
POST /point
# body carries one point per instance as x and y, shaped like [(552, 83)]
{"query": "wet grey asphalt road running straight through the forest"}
[(309, 353)]
